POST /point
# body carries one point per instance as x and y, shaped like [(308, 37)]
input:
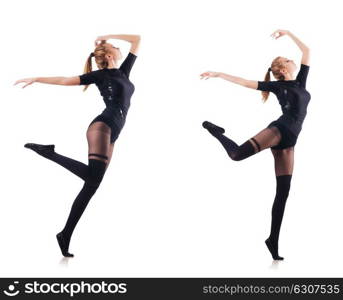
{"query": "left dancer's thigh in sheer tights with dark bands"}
[(98, 137)]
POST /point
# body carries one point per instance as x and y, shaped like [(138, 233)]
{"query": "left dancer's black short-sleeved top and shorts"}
[(116, 89)]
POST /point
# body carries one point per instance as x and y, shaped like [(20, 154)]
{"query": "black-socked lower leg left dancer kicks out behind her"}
[(76, 167)]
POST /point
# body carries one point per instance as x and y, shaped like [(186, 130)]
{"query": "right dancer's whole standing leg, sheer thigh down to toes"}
[(284, 160)]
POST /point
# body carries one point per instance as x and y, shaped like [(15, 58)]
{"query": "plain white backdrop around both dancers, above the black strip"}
[(171, 203)]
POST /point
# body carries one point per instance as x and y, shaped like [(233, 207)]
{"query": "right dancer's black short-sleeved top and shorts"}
[(293, 98)]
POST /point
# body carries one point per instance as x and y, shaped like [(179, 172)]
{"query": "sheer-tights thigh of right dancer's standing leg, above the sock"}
[(283, 161)]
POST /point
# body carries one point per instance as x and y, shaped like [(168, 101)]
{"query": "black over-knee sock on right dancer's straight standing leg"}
[(283, 184)]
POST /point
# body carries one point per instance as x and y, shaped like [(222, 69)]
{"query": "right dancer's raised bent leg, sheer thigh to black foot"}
[(266, 138)]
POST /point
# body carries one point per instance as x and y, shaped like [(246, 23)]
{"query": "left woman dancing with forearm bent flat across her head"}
[(116, 89)]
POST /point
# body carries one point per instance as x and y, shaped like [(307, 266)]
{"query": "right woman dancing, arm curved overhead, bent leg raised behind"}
[(280, 135)]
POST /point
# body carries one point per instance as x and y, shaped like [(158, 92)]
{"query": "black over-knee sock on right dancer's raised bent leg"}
[(233, 150)]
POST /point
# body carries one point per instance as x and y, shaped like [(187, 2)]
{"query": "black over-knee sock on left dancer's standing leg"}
[(96, 172)]
